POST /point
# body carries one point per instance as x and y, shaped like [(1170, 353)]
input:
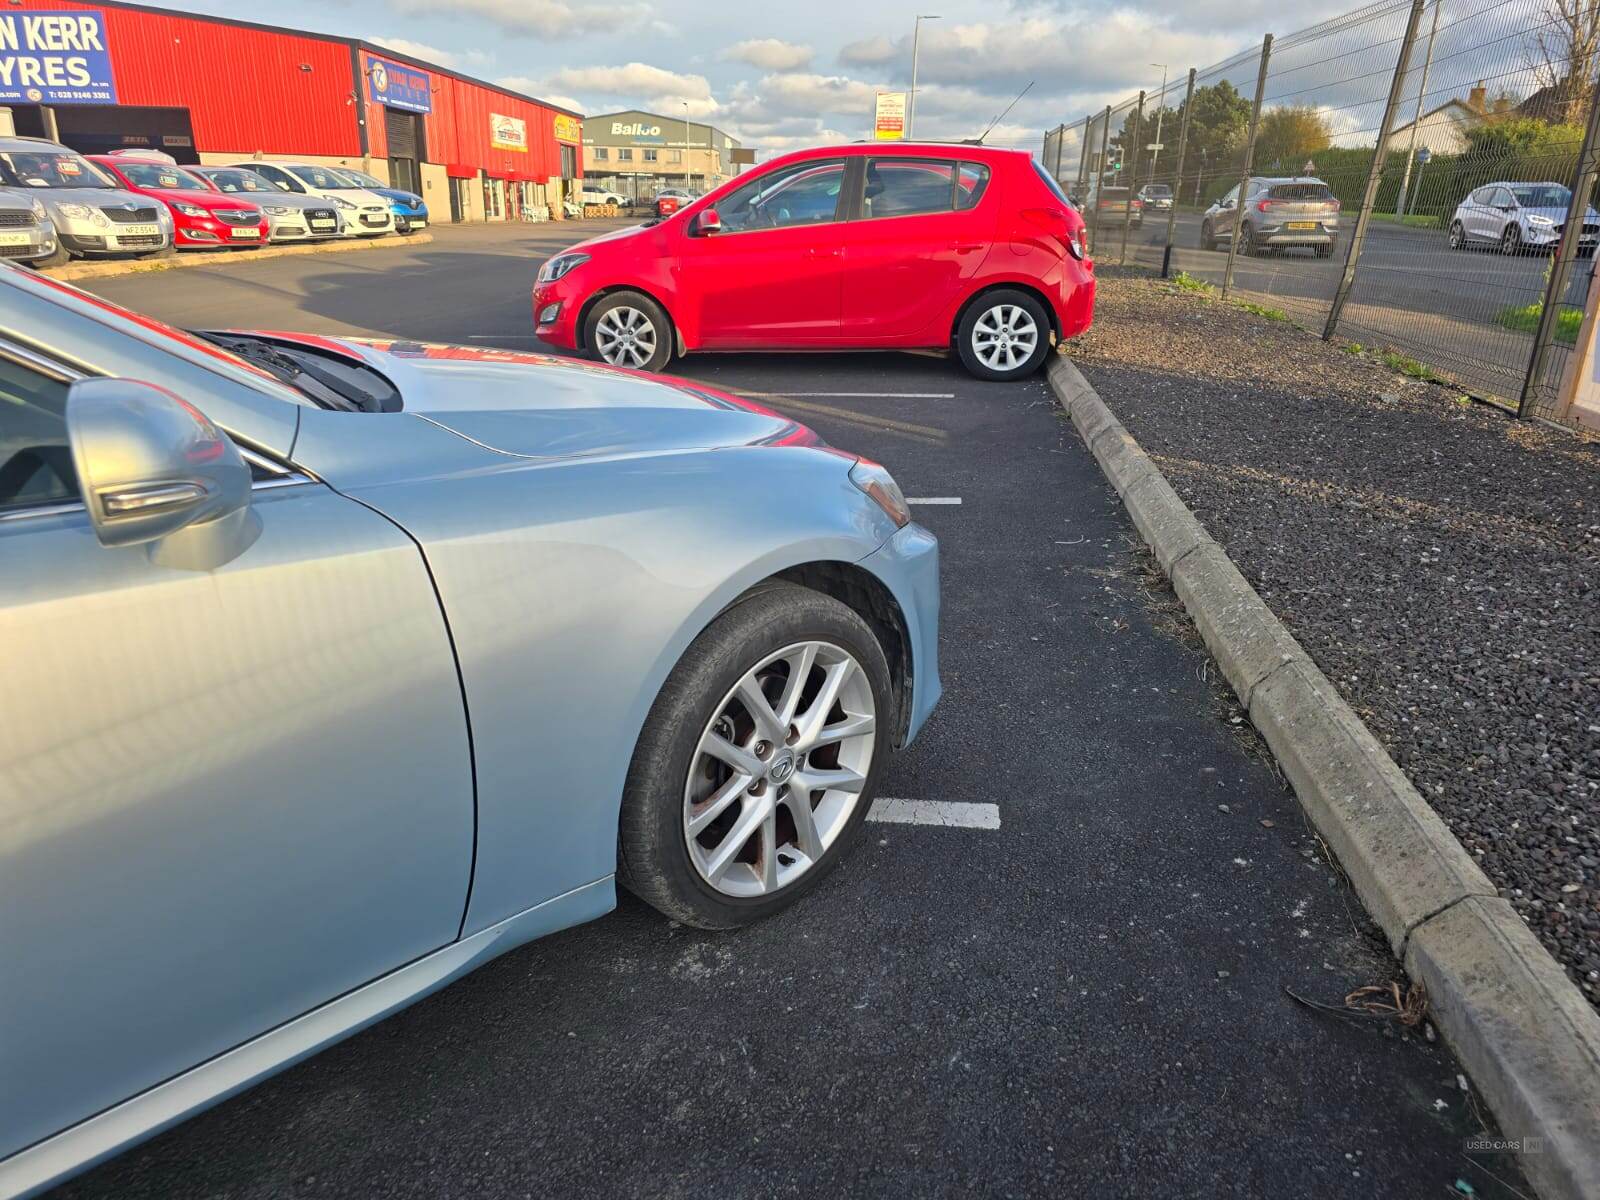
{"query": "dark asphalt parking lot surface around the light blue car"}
[(1089, 1001)]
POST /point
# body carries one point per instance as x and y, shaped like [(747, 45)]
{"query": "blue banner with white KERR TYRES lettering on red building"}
[(55, 58)]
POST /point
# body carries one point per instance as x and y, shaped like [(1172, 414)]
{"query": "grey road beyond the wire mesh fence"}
[(1412, 294)]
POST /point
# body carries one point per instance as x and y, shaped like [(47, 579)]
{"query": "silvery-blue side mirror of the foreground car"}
[(151, 465)]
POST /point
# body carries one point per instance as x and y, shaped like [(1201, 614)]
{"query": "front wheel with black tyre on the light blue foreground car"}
[(759, 642)]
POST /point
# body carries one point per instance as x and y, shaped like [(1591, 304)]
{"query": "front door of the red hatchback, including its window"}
[(772, 276)]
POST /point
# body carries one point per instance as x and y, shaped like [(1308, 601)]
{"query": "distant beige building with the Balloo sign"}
[(636, 154)]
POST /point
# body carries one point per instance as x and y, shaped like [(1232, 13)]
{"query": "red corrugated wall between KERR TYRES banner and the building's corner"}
[(244, 89)]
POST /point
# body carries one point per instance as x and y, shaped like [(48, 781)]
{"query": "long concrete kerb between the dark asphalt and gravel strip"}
[(1519, 1025)]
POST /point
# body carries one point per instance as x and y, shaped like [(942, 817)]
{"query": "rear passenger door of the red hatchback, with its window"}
[(924, 231)]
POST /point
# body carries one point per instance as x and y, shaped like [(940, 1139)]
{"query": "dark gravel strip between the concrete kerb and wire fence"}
[(1439, 561)]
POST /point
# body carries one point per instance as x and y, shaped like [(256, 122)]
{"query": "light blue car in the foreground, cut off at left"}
[(337, 668)]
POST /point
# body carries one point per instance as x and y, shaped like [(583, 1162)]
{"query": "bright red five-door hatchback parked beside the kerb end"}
[(842, 247)]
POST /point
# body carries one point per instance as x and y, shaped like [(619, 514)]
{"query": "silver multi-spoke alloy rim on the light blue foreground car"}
[(780, 770)]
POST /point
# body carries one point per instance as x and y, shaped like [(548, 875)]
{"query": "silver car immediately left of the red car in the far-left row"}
[(92, 215)]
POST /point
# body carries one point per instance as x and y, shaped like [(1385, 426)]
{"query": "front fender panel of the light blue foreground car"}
[(572, 591)]
